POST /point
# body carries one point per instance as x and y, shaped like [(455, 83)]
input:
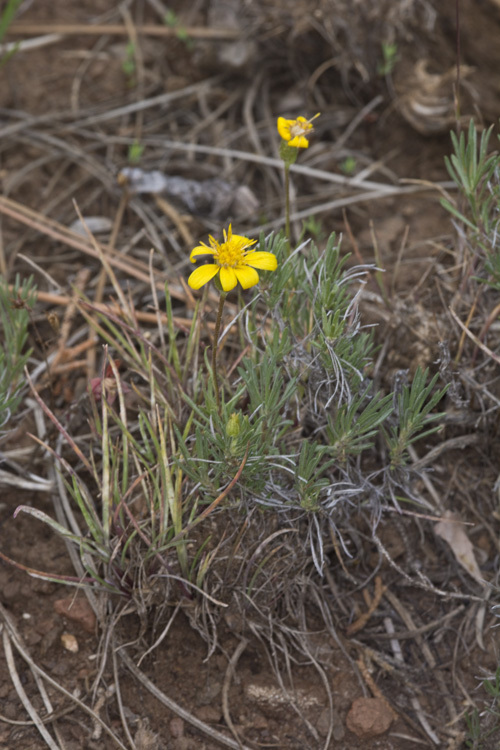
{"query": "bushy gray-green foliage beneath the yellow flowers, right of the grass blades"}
[(302, 404)]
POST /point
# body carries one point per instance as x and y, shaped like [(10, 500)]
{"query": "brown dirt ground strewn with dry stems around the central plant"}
[(69, 111)]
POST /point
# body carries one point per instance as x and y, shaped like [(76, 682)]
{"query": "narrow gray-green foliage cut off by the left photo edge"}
[(14, 318)]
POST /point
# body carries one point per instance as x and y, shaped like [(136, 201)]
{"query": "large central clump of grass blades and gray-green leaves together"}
[(294, 436)]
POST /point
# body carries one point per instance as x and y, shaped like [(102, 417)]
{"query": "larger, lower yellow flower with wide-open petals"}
[(234, 260)]
